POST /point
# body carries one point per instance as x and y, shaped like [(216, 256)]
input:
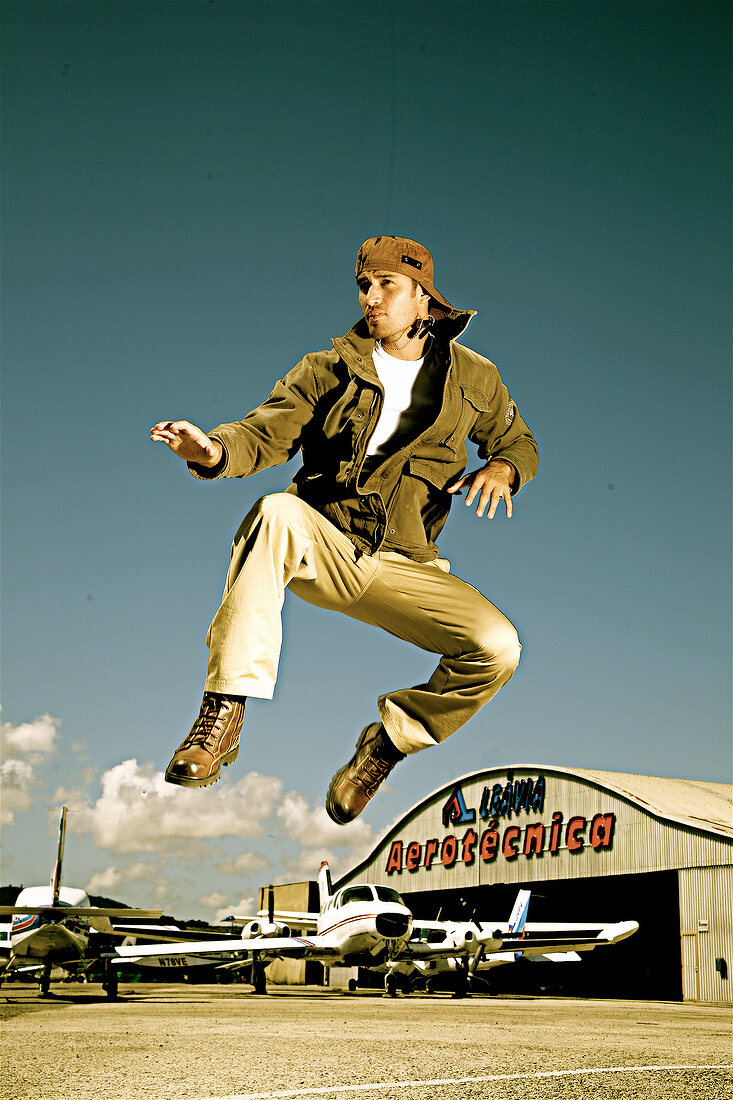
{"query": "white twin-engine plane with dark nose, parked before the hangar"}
[(370, 927)]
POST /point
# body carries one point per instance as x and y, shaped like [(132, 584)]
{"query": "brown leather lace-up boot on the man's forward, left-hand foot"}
[(213, 742)]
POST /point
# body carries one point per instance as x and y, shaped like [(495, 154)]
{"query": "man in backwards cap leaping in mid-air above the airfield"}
[(381, 421)]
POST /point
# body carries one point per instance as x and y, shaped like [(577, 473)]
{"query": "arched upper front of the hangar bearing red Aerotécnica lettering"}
[(540, 823)]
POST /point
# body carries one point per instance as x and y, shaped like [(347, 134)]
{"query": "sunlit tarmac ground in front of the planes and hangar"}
[(184, 1042)]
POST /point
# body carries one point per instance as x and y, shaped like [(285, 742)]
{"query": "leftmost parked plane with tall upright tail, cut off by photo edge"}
[(58, 926)]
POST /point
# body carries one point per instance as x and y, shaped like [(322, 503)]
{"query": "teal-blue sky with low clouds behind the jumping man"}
[(185, 189)]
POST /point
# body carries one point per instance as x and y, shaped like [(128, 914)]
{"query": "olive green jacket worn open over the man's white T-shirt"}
[(327, 408)]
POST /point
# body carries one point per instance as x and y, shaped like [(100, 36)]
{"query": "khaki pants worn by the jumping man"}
[(285, 543)]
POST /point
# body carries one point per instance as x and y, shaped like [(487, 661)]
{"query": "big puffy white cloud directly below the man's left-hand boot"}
[(138, 811)]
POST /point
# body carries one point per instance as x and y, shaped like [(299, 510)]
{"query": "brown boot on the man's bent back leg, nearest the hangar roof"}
[(358, 782)]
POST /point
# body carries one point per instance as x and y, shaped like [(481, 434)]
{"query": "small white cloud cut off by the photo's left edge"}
[(24, 749)]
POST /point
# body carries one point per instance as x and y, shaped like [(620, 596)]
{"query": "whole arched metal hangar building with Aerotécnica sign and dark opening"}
[(590, 845)]
